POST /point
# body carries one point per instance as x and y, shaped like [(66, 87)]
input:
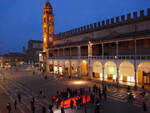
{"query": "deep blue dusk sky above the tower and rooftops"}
[(21, 20)]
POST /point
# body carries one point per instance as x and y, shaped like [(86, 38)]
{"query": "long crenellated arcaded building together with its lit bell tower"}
[(114, 50)]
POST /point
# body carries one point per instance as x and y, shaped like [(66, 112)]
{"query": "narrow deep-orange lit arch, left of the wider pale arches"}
[(84, 68)]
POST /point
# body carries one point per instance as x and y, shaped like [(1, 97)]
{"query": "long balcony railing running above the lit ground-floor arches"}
[(120, 57)]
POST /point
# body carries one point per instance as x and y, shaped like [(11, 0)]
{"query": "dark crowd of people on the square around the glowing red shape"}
[(92, 95)]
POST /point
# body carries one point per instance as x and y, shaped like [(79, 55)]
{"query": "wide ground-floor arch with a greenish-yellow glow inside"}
[(110, 70)]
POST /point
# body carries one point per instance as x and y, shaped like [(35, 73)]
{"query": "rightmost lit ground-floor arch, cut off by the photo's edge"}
[(143, 73)]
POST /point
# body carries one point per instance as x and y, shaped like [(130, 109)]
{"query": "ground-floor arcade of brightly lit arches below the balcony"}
[(118, 71)]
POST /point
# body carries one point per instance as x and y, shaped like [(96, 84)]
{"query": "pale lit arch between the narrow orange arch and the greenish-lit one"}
[(97, 69)]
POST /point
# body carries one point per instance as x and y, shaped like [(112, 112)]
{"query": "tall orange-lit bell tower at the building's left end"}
[(48, 31)]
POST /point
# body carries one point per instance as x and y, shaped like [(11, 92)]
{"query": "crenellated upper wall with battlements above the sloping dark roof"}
[(111, 27)]
